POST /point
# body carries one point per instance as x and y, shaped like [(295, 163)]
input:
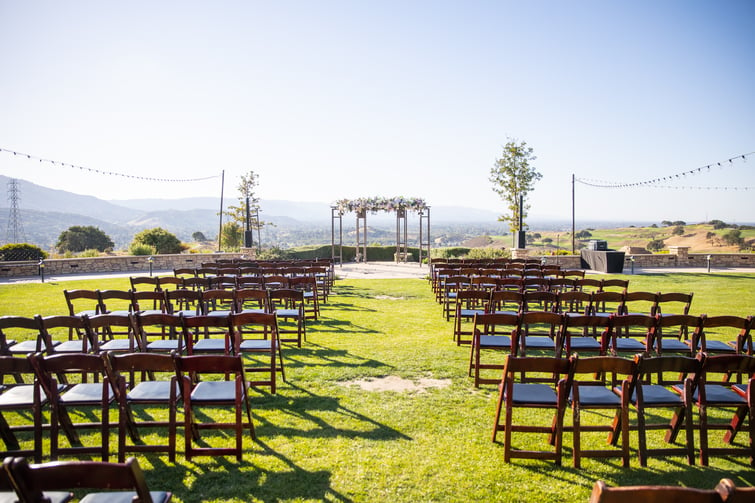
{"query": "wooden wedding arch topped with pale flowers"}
[(362, 206)]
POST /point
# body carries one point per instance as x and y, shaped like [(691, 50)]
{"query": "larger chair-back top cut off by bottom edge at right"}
[(602, 493)]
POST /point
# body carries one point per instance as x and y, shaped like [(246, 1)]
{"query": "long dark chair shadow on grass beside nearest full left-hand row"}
[(306, 407)]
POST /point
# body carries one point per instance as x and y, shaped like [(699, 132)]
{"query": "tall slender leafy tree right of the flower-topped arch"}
[(513, 178)]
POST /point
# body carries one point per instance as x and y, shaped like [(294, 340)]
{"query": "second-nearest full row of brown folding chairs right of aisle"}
[(560, 335)]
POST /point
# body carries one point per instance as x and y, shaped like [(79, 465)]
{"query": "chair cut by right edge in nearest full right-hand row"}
[(717, 389)]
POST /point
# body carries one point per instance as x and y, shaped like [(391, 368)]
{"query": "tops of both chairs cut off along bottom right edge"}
[(726, 491)]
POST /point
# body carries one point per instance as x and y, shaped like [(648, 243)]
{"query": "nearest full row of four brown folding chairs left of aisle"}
[(91, 384)]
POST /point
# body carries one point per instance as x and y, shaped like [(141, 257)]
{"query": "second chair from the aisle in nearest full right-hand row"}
[(589, 393)]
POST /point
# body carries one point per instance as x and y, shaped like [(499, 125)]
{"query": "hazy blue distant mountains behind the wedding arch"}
[(46, 212)]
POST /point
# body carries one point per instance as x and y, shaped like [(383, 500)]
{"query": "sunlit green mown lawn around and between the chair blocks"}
[(323, 438)]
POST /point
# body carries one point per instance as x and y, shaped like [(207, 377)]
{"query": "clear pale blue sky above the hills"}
[(341, 99)]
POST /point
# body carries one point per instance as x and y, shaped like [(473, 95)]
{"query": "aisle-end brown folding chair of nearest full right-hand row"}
[(514, 395)]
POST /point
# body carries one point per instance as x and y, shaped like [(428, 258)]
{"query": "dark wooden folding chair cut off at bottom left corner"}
[(32, 480)]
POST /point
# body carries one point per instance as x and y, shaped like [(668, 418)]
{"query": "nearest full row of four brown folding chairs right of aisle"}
[(610, 383)]
